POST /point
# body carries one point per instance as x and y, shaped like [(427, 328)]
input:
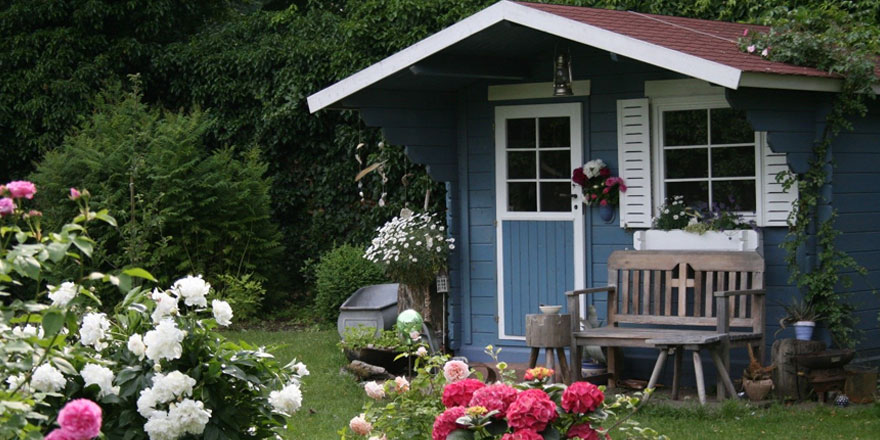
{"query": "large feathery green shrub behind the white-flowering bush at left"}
[(181, 208)]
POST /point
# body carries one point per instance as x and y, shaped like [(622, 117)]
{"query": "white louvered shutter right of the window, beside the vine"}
[(776, 200)]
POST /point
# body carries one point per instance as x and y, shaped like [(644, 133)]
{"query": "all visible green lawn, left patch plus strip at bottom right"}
[(331, 399)]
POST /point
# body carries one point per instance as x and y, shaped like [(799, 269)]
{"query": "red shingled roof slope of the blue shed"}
[(712, 40)]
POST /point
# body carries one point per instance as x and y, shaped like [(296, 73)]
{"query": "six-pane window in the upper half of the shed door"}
[(538, 157)]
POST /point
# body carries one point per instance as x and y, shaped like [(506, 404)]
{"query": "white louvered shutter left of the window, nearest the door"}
[(634, 162)]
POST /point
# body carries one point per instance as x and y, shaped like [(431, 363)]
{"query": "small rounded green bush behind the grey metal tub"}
[(338, 274)]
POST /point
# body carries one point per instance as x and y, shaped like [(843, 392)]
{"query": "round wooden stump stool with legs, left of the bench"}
[(550, 332)]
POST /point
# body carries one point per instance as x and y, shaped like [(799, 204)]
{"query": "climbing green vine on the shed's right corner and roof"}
[(842, 39)]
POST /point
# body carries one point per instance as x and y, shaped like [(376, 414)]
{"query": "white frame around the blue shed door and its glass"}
[(576, 216)]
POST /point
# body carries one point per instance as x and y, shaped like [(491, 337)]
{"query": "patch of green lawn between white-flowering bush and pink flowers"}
[(330, 399)]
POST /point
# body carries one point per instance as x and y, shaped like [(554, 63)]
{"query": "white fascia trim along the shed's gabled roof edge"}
[(589, 35)]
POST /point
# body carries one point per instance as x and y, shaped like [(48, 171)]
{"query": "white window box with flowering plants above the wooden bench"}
[(681, 227)]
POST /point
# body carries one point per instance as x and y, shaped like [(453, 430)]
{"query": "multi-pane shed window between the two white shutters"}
[(708, 153)]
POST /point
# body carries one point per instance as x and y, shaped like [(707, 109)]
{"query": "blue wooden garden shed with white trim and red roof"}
[(671, 104)]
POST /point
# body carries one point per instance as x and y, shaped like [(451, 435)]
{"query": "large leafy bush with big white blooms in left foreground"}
[(155, 363)]
